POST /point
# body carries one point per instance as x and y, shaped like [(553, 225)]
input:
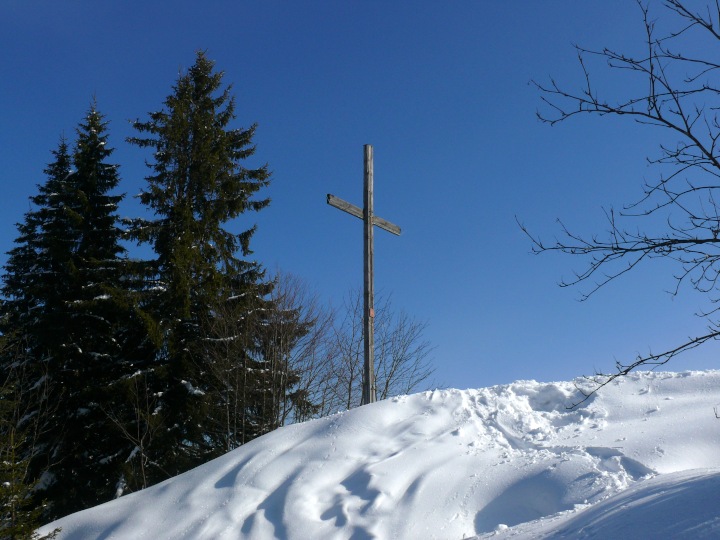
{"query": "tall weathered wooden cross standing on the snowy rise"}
[(366, 214)]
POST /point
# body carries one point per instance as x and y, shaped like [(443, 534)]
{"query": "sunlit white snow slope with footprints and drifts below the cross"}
[(640, 459)]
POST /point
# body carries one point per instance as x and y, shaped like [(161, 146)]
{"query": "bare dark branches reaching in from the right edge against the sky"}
[(671, 85)]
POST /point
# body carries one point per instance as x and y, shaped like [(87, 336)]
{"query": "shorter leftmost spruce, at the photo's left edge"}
[(33, 310)]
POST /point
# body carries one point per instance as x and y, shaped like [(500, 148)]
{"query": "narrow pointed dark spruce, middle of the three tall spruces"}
[(96, 309)]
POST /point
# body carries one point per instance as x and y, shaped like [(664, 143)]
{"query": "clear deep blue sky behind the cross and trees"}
[(441, 90)]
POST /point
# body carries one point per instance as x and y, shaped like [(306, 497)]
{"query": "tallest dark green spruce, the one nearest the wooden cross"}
[(198, 184)]
